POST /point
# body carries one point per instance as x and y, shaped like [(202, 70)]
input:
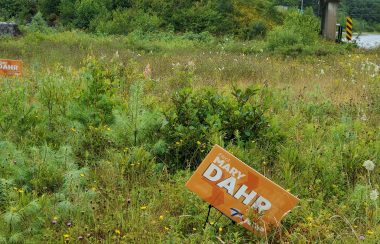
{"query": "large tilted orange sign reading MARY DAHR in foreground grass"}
[(240, 192)]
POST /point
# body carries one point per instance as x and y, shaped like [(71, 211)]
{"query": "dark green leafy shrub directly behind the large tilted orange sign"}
[(199, 116)]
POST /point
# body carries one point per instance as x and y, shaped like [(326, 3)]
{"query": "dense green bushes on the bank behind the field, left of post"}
[(245, 18)]
